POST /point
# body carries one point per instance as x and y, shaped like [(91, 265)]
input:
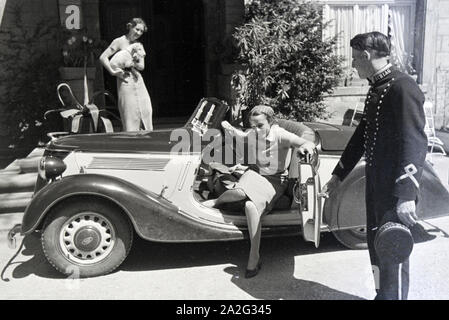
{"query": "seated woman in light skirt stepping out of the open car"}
[(264, 179)]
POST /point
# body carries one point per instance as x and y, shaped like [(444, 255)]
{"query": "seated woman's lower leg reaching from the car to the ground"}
[(255, 229)]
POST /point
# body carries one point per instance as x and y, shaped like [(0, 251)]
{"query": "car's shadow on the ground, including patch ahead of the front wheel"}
[(148, 256)]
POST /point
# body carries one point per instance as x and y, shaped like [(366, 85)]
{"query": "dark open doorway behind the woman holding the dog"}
[(175, 63)]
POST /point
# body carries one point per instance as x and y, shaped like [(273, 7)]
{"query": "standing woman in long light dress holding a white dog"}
[(134, 102)]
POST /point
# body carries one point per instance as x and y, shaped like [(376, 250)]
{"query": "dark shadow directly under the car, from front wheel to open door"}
[(148, 256)]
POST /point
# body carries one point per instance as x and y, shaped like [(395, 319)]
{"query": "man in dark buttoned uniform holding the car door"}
[(392, 139)]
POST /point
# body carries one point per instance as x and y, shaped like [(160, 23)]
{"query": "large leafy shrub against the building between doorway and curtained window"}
[(285, 62)]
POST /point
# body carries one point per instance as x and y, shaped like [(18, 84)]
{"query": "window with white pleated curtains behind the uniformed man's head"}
[(395, 18)]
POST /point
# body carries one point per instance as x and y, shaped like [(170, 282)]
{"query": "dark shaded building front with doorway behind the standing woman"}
[(185, 44)]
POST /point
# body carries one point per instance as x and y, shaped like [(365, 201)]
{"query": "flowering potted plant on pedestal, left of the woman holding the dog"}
[(80, 52)]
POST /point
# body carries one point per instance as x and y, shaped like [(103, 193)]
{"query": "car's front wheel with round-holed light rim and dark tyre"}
[(86, 237)]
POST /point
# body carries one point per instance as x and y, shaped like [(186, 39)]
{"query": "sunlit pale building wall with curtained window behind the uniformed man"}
[(419, 33)]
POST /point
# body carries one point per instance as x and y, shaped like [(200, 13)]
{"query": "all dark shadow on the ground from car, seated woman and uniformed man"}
[(276, 279)]
